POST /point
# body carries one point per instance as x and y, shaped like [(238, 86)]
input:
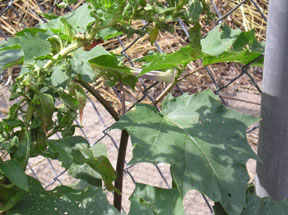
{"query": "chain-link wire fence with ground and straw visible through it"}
[(96, 127)]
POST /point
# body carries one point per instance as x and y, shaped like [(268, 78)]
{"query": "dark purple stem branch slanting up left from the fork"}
[(103, 101)]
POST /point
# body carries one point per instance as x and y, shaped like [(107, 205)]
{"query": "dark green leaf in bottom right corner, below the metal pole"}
[(265, 206)]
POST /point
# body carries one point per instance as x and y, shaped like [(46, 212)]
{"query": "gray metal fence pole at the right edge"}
[(272, 173)]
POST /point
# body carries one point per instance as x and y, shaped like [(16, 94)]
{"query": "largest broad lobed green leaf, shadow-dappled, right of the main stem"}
[(204, 142)]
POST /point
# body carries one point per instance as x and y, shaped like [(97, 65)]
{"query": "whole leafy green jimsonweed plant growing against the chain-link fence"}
[(203, 141)]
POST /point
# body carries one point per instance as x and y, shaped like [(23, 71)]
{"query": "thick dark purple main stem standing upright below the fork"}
[(120, 169)]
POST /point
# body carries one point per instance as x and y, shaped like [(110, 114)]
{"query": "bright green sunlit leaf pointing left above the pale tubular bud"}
[(168, 61)]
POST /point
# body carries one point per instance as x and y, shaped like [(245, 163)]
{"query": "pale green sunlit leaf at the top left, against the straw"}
[(80, 19)]
